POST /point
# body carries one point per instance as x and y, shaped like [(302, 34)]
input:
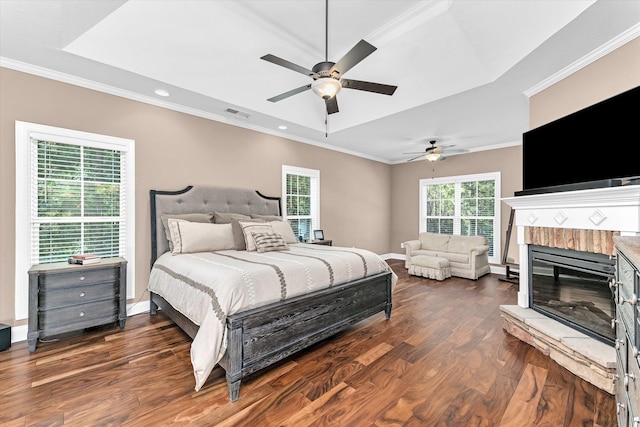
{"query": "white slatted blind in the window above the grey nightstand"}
[(79, 205)]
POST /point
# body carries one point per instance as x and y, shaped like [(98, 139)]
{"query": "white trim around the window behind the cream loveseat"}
[(497, 228)]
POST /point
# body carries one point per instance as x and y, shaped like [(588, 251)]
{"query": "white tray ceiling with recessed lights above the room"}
[(462, 67)]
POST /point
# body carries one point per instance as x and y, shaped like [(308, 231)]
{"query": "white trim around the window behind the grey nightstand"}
[(24, 132)]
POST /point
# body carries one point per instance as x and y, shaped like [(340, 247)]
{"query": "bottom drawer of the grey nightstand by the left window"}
[(82, 313)]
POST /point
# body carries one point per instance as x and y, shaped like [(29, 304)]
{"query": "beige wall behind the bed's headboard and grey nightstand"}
[(174, 150)]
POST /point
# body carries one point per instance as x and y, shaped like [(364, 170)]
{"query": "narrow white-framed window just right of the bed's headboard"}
[(301, 190)]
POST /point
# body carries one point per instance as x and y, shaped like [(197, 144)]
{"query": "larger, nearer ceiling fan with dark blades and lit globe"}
[(327, 76)]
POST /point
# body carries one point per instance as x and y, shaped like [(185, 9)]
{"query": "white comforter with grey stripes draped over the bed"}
[(208, 286)]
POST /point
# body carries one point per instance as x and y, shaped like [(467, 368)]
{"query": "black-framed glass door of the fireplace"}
[(573, 288)]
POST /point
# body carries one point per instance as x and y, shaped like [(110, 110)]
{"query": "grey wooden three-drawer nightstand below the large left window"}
[(65, 297)]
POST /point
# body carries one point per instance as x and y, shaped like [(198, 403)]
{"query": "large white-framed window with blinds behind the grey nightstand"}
[(74, 194)]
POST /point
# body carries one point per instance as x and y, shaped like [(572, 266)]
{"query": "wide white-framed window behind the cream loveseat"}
[(465, 205)]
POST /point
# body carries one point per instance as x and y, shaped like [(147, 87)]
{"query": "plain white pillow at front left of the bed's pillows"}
[(189, 237)]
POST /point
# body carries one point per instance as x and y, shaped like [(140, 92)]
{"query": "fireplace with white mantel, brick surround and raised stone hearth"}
[(557, 233)]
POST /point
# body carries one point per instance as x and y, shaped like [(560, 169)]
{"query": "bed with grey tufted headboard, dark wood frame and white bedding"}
[(248, 308)]
